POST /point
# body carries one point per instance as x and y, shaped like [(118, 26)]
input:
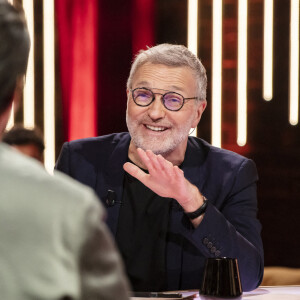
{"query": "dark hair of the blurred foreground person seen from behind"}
[(14, 50)]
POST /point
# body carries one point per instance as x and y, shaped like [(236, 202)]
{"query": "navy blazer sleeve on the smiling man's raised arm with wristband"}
[(230, 227)]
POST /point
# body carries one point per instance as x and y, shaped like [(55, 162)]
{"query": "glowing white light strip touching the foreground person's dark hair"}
[(28, 104)]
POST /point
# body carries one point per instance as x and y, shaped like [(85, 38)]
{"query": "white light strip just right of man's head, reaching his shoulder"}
[(217, 73)]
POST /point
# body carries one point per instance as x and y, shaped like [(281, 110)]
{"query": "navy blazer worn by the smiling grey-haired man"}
[(228, 180)]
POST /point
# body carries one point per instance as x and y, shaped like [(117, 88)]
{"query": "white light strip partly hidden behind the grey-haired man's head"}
[(193, 33)]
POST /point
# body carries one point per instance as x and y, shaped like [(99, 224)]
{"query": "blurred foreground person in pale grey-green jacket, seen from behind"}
[(54, 242)]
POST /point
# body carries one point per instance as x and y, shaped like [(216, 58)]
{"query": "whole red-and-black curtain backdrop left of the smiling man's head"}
[(97, 40)]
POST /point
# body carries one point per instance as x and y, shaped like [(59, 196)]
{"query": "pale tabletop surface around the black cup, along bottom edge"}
[(261, 293)]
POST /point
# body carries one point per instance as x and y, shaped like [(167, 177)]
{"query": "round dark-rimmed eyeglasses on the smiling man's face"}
[(171, 100)]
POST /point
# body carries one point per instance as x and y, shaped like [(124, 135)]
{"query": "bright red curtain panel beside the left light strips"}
[(77, 37)]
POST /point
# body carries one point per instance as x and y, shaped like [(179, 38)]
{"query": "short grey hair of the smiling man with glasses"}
[(173, 56)]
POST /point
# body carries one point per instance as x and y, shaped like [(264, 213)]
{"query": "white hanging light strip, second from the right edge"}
[(268, 51)]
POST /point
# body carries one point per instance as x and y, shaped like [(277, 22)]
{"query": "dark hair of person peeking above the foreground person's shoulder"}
[(19, 135)]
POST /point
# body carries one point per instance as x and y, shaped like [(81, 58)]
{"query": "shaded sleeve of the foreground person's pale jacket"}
[(101, 268)]
